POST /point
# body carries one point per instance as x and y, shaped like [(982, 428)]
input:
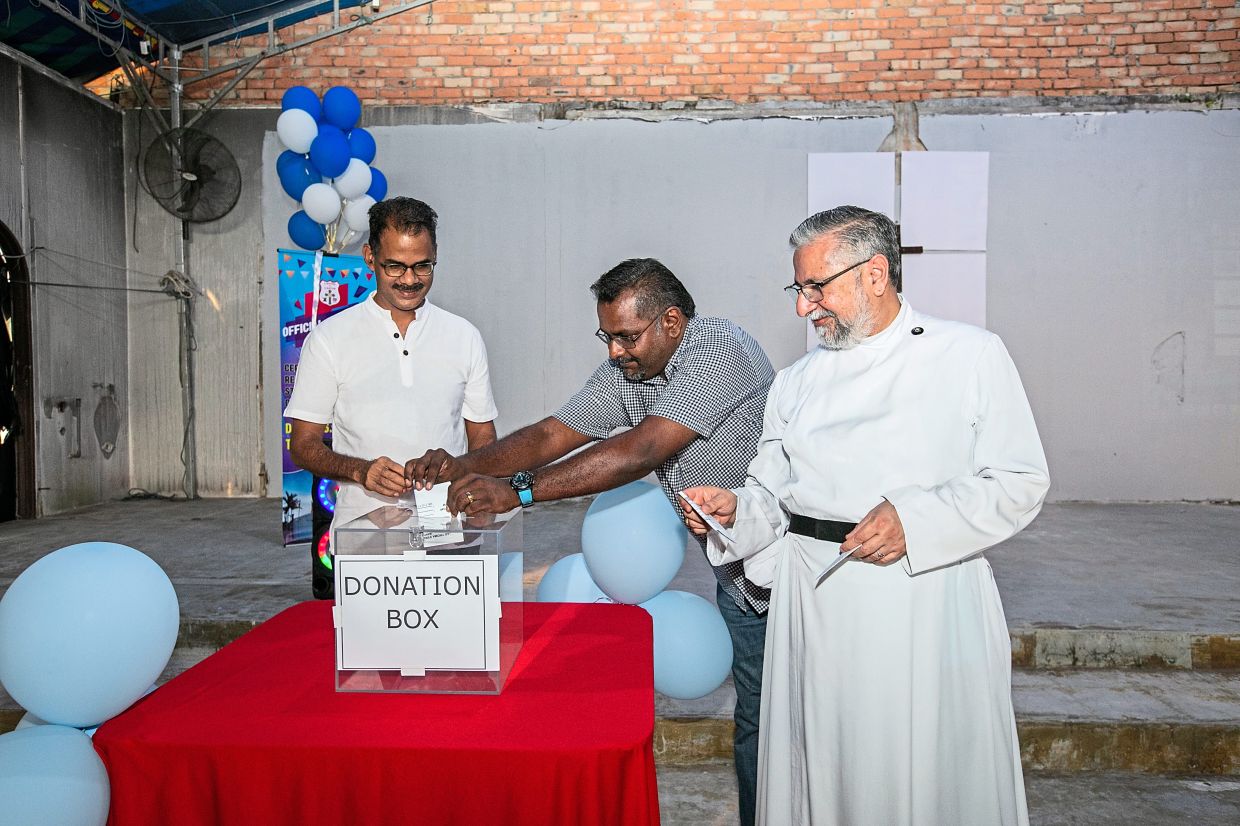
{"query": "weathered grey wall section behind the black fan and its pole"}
[(226, 262)]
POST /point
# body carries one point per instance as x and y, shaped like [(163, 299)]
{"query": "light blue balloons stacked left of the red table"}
[(84, 634)]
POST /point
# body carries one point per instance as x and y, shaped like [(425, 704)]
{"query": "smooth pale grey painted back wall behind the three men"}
[(1109, 235)]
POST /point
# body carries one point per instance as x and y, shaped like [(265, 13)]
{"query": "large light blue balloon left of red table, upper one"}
[(85, 631)]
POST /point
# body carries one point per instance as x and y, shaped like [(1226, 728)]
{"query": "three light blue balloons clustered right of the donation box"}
[(633, 545)]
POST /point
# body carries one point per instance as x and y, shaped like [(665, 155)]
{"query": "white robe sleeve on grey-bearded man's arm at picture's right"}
[(959, 518)]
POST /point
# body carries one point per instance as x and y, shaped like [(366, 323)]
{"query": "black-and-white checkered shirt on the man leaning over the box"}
[(716, 385)]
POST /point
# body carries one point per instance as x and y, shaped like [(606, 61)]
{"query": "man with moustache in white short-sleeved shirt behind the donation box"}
[(395, 376)]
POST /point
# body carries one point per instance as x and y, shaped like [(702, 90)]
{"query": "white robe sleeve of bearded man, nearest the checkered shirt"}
[(761, 519)]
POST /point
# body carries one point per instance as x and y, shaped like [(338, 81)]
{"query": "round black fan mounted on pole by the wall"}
[(192, 174)]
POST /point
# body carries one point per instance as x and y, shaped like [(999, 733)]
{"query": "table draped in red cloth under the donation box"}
[(259, 735)]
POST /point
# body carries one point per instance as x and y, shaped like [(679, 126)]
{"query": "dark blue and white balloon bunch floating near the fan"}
[(325, 143)]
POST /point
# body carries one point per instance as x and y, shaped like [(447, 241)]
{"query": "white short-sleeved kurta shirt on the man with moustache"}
[(389, 395)]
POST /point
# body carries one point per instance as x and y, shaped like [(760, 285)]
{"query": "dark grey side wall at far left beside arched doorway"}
[(70, 144)]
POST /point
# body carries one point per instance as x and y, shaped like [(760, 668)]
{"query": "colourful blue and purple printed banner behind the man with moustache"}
[(313, 287)]
